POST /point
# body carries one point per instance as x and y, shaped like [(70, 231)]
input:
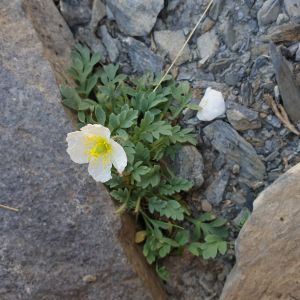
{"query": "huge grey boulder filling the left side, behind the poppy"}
[(64, 242)]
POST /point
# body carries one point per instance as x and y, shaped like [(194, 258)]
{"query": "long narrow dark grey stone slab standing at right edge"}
[(289, 89)]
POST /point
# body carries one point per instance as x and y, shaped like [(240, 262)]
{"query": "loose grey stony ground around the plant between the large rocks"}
[(245, 149)]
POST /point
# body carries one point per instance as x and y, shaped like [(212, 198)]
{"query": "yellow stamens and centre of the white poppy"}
[(100, 149)]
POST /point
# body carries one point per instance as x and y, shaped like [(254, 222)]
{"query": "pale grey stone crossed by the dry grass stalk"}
[(172, 41)]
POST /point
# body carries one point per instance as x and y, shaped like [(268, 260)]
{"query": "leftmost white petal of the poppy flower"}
[(76, 147)]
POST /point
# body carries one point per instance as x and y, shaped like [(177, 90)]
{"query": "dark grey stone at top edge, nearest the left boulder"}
[(76, 12)]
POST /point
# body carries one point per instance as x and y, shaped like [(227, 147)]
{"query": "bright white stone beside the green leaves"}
[(212, 105)]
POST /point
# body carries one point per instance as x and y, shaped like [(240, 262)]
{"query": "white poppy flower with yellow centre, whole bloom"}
[(93, 145)]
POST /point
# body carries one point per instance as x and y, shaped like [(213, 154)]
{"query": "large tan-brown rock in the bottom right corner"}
[(267, 248)]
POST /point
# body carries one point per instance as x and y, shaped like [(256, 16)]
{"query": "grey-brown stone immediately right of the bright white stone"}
[(242, 118)]
